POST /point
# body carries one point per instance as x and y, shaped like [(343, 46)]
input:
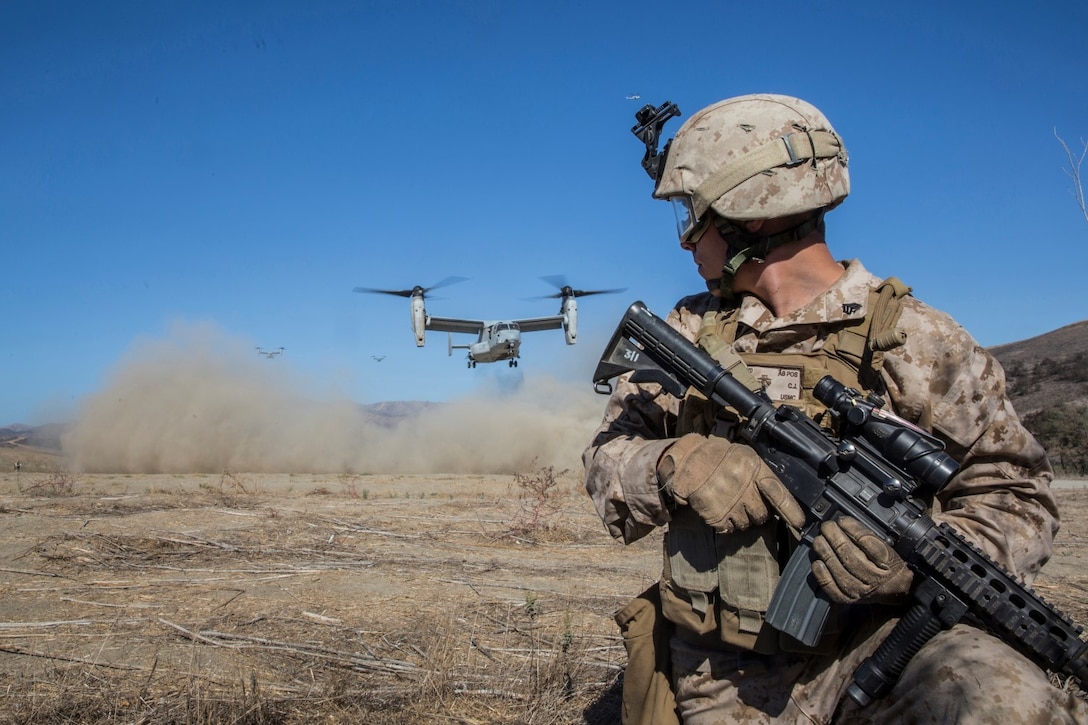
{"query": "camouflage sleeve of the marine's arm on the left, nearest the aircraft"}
[(638, 427)]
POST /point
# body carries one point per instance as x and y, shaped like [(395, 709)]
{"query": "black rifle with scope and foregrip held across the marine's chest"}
[(877, 469)]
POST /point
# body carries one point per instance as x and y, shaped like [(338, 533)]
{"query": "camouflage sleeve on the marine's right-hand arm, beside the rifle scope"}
[(1002, 498)]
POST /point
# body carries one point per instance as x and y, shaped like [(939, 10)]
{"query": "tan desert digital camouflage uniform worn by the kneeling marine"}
[(939, 379)]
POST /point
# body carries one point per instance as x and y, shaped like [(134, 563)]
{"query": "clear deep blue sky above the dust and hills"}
[(246, 165)]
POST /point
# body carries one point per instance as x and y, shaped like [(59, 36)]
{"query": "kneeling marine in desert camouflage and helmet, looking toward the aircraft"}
[(751, 180)]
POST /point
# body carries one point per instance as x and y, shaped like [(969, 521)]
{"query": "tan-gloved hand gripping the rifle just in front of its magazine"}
[(856, 566)]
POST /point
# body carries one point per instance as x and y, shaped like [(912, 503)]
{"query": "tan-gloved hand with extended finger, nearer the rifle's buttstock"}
[(726, 484)]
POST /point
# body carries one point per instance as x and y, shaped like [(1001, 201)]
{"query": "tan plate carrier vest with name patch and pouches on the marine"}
[(744, 569)]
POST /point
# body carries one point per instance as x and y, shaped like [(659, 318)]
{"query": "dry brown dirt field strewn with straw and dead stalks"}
[(302, 598)]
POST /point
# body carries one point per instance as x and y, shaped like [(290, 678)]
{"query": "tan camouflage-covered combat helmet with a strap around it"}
[(755, 157)]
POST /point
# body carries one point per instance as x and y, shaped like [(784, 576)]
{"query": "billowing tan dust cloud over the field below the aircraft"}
[(204, 402)]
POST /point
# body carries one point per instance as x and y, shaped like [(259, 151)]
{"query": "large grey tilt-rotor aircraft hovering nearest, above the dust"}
[(497, 340)]
